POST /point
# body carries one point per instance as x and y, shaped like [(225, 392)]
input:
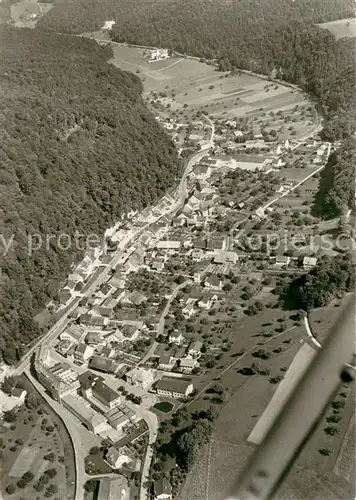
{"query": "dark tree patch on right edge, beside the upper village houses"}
[(336, 193)]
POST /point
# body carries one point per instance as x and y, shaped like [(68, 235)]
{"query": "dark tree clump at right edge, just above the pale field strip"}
[(331, 278)]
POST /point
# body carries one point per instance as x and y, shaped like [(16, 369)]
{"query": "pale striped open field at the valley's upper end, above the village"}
[(186, 84)]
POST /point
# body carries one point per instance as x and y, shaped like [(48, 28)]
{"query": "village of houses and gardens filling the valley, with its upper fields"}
[(169, 302)]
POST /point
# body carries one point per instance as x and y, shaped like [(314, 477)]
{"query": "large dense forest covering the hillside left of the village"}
[(78, 149)]
